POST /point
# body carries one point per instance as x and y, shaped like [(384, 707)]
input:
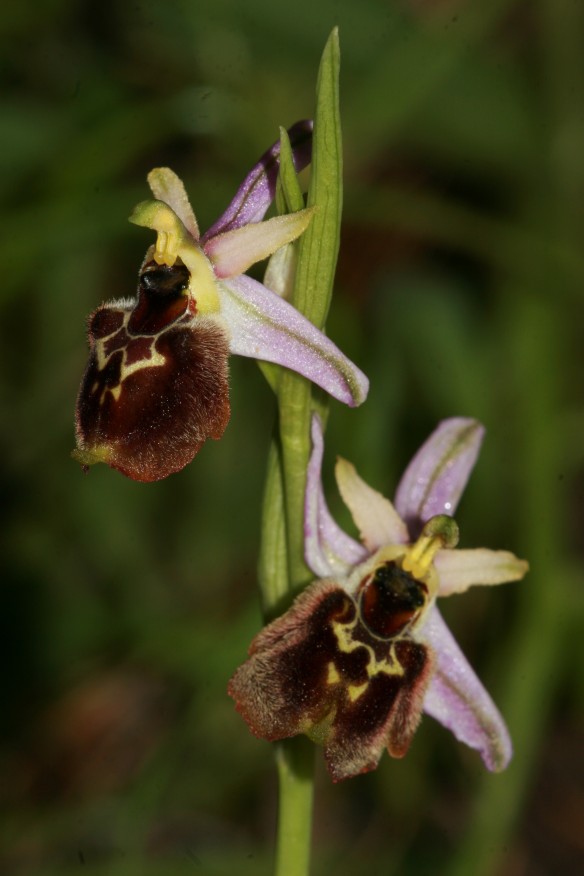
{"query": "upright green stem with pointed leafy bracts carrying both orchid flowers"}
[(283, 571)]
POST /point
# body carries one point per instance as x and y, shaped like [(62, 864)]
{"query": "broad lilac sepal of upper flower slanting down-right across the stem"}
[(264, 326)]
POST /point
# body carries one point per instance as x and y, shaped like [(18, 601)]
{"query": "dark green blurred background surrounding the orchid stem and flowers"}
[(125, 607)]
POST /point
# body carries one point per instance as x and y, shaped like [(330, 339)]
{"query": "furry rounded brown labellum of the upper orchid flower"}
[(156, 384)]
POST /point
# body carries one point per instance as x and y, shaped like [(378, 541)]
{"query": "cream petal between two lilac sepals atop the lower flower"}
[(375, 517)]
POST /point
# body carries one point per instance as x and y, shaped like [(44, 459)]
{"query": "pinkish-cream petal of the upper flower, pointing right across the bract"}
[(233, 252)]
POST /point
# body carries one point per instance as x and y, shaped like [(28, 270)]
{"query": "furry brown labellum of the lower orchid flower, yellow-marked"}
[(343, 670)]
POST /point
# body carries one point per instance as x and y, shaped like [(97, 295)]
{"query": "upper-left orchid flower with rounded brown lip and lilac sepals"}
[(156, 385)]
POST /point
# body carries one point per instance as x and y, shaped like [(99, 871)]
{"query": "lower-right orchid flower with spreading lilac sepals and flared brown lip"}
[(363, 651)]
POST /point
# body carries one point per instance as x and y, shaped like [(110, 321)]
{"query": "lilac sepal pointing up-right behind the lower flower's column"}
[(435, 478)]
